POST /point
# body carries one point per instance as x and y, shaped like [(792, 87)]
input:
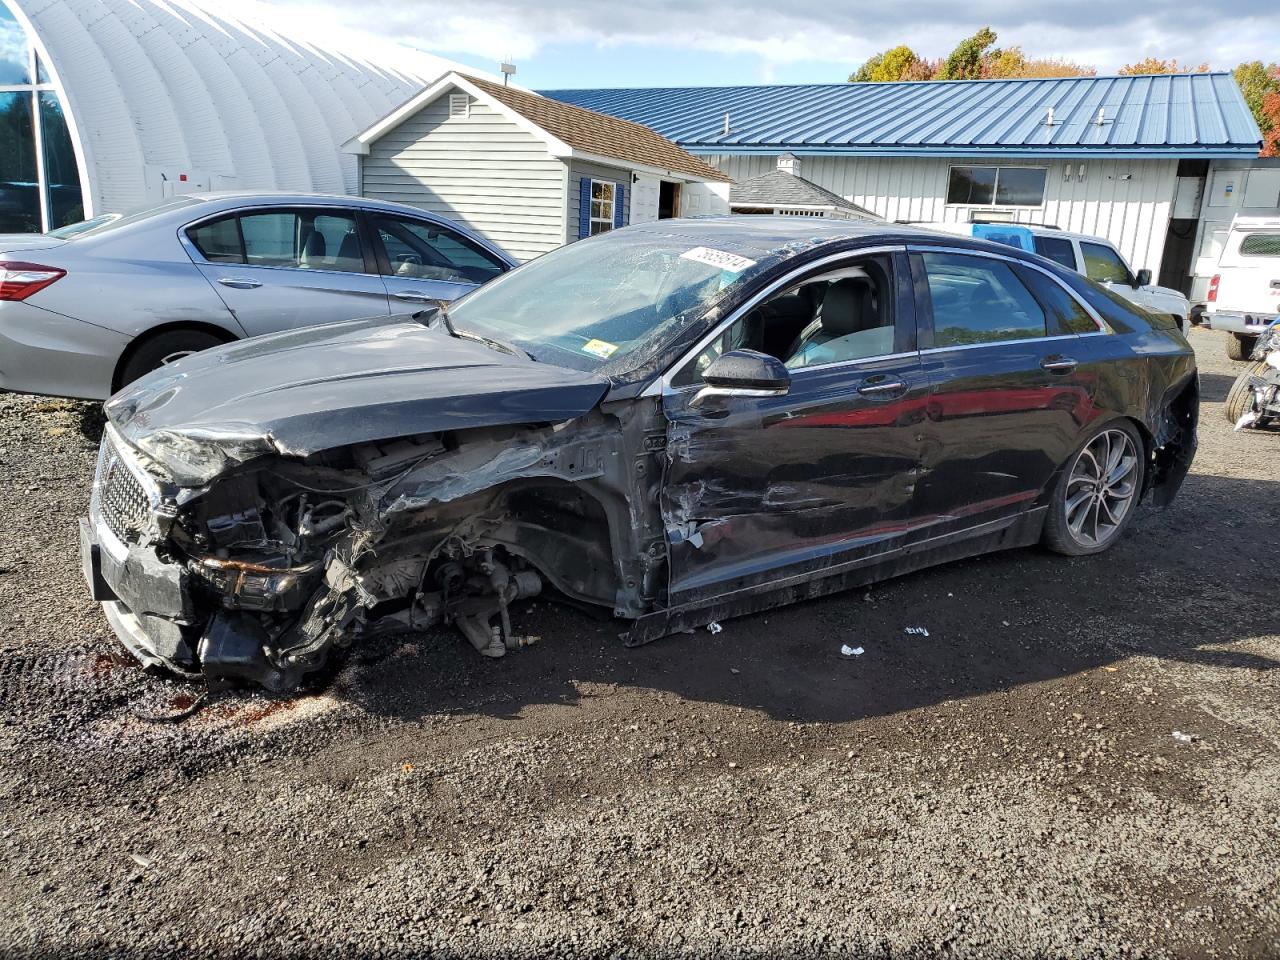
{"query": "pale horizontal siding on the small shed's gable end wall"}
[(482, 171)]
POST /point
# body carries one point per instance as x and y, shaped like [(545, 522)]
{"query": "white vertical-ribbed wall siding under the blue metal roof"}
[(1127, 202)]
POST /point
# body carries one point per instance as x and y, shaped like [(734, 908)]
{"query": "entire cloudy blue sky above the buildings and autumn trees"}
[(652, 43)]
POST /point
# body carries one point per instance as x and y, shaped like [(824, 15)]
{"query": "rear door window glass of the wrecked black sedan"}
[(977, 300)]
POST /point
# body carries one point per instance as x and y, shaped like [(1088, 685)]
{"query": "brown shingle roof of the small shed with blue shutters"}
[(597, 134)]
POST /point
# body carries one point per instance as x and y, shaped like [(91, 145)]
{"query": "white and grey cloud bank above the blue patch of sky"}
[(1100, 33)]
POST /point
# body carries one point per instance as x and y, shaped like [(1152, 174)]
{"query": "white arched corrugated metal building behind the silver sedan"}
[(111, 104)]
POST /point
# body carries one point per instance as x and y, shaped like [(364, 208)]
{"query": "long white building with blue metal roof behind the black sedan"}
[(1131, 159)]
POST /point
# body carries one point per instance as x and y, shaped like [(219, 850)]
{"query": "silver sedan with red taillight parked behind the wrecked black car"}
[(92, 308)]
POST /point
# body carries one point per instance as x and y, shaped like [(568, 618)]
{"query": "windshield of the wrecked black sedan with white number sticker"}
[(595, 304)]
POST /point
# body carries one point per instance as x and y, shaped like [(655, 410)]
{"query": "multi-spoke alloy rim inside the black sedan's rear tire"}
[(1103, 488)]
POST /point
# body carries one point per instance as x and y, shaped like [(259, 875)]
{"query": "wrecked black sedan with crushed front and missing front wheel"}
[(679, 423)]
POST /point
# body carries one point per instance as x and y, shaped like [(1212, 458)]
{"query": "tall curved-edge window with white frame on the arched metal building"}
[(40, 185)]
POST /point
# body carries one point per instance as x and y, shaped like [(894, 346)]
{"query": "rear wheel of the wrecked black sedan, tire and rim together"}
[(1098, 493)]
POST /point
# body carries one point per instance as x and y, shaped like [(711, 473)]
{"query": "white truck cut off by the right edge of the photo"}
[(1245, 294)]
